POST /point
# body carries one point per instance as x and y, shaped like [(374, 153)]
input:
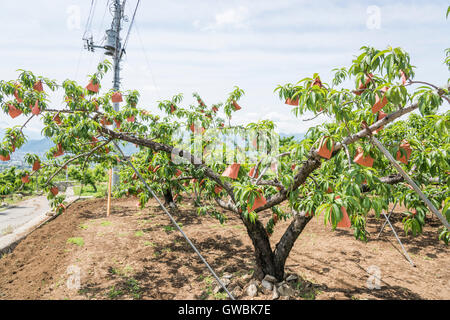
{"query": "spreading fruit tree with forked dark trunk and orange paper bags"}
[(335, 168)]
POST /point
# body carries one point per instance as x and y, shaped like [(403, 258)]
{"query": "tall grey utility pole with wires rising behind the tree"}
[(113, 47)]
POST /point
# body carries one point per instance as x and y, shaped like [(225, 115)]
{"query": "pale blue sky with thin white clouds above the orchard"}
[(210, 46)]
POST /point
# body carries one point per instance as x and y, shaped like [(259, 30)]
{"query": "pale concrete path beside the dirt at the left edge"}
[(20, 218)]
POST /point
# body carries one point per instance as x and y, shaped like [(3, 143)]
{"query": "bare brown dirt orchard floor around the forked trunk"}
[(137, 254)]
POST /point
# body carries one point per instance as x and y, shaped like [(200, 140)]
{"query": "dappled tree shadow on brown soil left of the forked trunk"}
[(153, 285)]
